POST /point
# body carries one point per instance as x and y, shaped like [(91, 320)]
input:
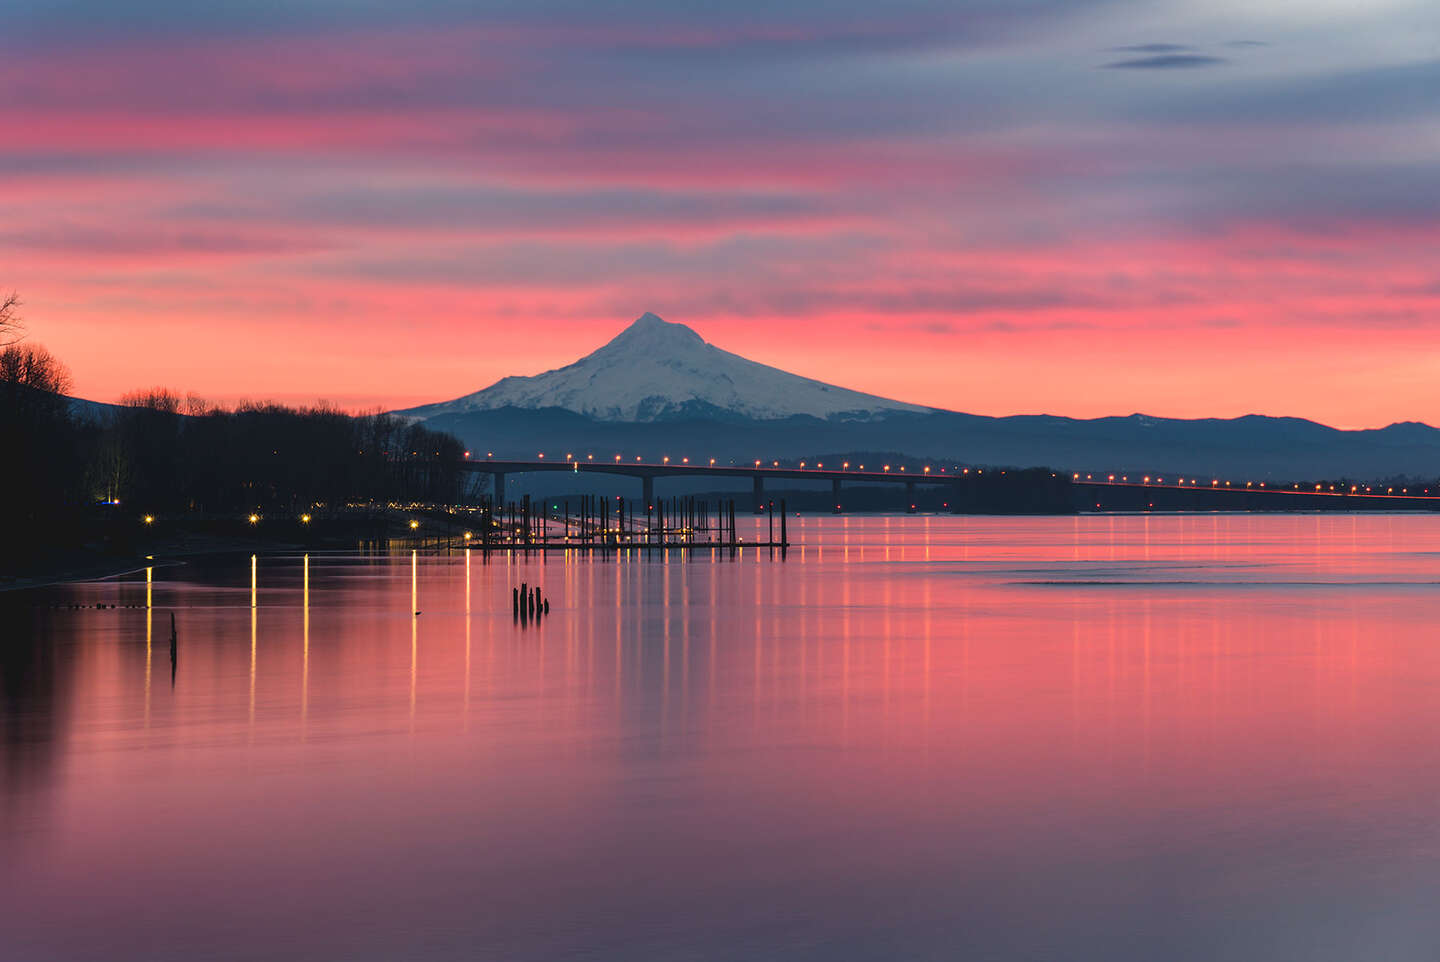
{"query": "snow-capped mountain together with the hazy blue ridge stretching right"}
[(660, 390)]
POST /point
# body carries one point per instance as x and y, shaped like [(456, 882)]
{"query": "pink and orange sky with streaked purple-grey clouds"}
[(1186, 208)]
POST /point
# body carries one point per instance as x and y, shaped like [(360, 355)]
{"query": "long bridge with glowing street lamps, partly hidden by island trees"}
[(1089, 492)]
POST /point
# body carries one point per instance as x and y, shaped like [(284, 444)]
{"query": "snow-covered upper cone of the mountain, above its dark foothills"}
[(656, 371)]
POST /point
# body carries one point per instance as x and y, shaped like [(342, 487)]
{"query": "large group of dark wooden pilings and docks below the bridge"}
[(607, 523)]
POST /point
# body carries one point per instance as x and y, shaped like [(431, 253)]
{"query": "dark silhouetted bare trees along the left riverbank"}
[(161, 453)]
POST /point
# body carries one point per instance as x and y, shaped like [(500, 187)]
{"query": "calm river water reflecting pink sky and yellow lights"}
[(915, 738)]
